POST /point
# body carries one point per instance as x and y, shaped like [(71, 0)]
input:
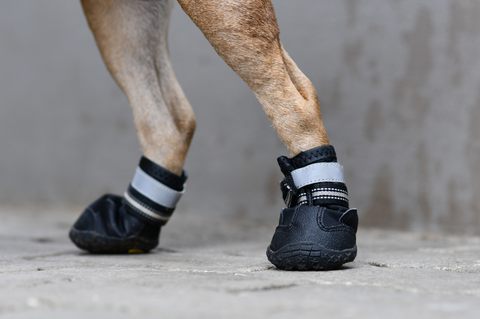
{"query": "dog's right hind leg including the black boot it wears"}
[(317, 230)]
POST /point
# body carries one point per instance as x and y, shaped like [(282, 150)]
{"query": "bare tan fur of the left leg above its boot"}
[(132, 38)]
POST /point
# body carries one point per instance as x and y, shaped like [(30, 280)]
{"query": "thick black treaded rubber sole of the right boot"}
[(309, 256)]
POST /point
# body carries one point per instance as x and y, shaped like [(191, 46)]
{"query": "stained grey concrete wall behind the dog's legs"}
[(398, 82)]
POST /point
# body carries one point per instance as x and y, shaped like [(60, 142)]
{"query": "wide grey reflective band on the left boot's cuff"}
[(154, 190)]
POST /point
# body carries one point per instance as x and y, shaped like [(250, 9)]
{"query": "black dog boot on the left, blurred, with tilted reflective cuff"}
[(130, 224)]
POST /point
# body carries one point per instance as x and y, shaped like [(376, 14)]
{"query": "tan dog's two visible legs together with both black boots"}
[(317, 229)]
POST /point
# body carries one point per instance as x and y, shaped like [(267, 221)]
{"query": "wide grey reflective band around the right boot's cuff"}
[(318, 173)]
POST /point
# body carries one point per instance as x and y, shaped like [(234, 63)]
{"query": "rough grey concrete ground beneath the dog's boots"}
[(214, 269)]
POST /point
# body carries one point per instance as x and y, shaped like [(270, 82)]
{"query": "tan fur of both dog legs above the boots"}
[(132, 37)]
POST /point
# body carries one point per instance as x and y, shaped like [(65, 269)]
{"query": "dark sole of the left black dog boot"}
[(101, 244)]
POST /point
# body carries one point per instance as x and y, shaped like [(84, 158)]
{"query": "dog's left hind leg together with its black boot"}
[(132, 38)]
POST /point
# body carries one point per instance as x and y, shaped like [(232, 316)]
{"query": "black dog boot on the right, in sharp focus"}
[(317, 229)]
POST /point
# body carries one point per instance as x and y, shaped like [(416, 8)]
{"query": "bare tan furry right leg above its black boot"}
[(246, 35)]
